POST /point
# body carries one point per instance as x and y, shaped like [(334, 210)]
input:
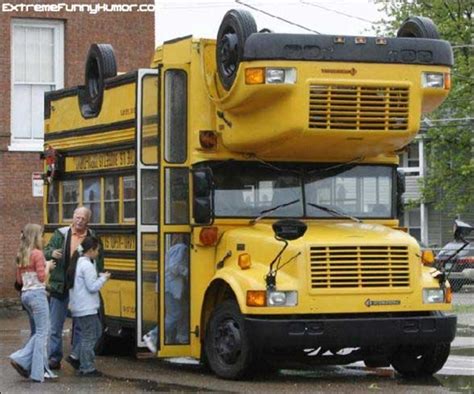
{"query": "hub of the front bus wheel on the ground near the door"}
[(228, 341)]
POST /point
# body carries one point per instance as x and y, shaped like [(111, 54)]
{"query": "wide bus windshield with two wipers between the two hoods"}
[(249, 189)]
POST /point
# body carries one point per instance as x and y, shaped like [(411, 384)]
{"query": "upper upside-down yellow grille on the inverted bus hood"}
[(345, 107)]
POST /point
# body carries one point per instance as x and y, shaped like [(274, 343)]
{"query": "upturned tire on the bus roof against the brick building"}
[(100, 65)]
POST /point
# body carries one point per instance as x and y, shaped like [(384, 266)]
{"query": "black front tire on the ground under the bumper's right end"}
[(418, 361)]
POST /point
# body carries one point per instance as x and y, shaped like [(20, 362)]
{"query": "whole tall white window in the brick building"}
[(37, 66)]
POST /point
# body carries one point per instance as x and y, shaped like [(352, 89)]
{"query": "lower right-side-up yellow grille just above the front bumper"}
[(359, 267)]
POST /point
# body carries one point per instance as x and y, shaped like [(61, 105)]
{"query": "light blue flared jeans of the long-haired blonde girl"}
[(33, 356)]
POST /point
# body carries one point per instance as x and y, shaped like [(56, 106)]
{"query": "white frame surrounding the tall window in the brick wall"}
[(36, 145)]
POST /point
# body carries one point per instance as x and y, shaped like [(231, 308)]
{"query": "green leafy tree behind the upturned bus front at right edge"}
[(449, 181)]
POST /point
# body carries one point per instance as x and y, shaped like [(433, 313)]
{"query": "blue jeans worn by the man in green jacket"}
[(58, 312)]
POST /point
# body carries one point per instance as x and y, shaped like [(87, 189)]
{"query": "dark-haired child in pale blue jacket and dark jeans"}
[(84, 301)]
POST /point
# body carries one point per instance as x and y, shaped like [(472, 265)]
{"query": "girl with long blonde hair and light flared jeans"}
[(32, 270)]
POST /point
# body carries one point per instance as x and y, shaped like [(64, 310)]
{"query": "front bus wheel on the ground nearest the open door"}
[(228, 348)]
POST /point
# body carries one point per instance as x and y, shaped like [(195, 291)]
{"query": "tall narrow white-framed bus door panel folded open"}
[(148, 208)]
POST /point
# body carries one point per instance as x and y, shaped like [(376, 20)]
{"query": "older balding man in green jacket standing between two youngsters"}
[(61, 247)]
